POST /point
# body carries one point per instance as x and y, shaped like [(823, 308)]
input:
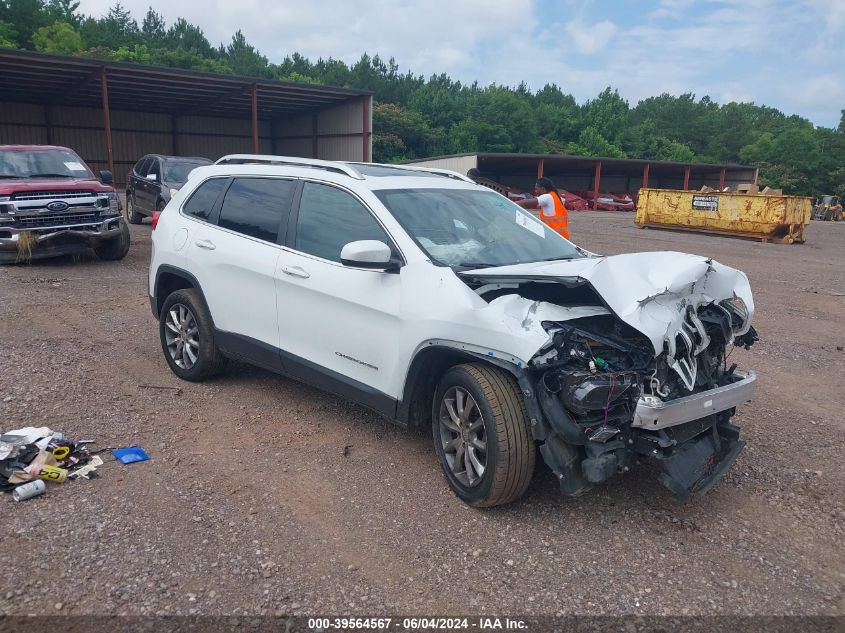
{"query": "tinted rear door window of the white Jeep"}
[(257, 207)]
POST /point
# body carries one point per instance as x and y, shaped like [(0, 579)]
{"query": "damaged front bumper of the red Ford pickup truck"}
[(43, 242)]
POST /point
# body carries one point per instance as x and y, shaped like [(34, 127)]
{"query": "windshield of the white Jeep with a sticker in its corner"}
[(473, 229)]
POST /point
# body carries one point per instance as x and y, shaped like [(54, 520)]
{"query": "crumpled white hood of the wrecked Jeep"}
[(648, 291)]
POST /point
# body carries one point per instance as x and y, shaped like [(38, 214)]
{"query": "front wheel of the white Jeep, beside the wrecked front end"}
[(481, 435)]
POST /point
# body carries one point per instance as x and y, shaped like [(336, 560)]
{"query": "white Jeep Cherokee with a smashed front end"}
[(439, 303)]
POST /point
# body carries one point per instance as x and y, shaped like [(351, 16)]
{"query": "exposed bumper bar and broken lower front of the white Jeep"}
[(691, 438)]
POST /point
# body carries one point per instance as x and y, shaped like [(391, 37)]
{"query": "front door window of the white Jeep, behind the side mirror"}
[(330, 218)]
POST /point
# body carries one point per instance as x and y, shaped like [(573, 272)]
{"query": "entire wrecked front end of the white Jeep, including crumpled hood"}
[(643, 375)]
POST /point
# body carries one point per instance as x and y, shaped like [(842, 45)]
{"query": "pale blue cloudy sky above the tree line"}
[(781, 53)]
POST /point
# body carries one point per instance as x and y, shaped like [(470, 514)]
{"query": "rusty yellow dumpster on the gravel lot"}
[(768, 218)]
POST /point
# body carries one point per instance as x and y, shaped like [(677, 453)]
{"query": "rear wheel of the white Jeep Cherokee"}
[(186, 332)]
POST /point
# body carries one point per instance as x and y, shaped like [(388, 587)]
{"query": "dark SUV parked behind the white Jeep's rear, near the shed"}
[(153, 181)]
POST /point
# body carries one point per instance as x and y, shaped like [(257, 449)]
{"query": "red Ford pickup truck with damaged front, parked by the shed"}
[(52, 204)]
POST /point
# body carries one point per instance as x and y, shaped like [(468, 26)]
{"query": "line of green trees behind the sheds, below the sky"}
[(416, 117)]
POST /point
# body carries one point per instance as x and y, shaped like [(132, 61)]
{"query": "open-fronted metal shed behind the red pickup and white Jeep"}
[(112, 113)]
